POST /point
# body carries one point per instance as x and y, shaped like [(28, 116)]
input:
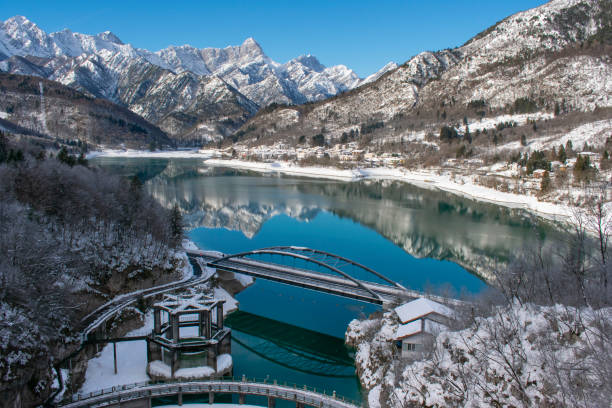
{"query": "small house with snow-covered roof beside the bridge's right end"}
[(422, 320)]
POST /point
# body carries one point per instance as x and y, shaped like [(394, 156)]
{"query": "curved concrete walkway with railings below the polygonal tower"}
[(146, 391)]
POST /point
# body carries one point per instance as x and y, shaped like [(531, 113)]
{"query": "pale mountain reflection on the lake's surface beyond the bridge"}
[(424, 223)]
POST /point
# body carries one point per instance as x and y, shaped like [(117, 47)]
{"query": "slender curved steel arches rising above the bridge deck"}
[(316, 257)]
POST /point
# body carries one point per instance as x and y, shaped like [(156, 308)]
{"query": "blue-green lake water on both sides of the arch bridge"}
[(424, 239)]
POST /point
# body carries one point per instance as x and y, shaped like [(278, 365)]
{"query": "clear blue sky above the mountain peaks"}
[(364, 35)]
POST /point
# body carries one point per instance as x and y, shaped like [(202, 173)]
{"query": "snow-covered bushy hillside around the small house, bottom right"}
[(531, 338)]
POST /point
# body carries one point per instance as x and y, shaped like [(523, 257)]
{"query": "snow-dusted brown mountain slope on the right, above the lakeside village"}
[(557, 53)]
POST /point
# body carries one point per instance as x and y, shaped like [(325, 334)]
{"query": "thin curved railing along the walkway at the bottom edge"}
[(230, 385)]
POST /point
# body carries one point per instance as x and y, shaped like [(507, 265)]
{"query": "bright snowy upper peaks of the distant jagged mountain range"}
[(245, 67)]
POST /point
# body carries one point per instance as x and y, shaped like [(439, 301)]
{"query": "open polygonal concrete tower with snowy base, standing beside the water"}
[(189, 340)]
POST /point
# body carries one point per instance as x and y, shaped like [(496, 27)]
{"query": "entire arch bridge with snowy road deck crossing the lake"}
[(311, 269)]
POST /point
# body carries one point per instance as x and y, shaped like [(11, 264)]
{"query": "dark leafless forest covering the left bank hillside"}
[(71, 237)]
